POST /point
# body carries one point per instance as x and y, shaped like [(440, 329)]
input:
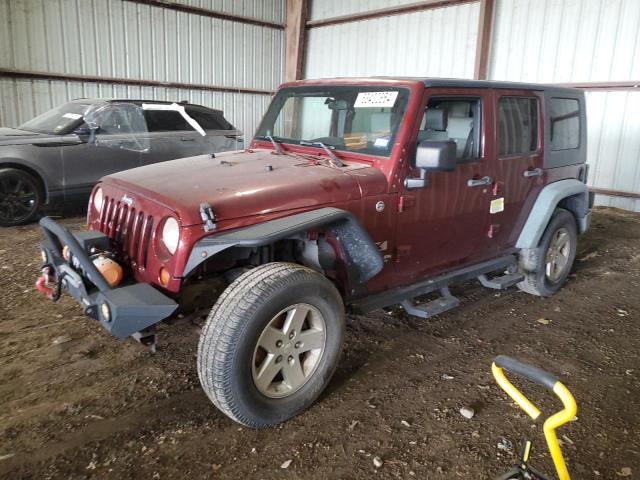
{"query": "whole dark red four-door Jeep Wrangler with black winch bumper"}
[(355, 194)]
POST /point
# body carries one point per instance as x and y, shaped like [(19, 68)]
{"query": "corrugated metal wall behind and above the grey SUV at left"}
[(126, 39)]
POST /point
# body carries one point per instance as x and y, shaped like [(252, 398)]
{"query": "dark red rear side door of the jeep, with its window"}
[(518, 176)]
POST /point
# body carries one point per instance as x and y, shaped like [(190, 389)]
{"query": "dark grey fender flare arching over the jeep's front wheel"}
[(364, 260)]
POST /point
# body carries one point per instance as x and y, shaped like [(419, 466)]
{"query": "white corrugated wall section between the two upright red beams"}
[(438, 43)]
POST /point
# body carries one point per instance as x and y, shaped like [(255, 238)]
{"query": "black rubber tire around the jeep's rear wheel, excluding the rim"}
[(534, 261)]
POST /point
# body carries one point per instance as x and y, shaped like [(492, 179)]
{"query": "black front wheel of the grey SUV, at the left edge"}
[(20, 197)]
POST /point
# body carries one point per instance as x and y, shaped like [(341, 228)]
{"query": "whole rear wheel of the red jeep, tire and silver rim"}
[(548, 266)]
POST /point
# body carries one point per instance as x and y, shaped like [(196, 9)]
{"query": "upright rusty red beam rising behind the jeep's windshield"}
[(294, 39)]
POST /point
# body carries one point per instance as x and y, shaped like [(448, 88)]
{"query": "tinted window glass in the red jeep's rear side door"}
[(517, 125)]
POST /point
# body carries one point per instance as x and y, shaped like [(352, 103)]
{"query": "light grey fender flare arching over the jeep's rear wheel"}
[(571, 194)]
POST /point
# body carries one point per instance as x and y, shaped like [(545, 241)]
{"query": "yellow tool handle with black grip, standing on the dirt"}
[(549, 381)]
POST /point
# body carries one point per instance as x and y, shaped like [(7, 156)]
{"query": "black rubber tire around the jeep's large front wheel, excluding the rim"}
[(230, 338)]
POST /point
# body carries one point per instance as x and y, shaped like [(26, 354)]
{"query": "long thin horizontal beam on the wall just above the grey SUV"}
[(4, 72)]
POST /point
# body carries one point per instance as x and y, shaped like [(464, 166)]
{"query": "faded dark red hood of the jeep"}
[(246, 183)]
